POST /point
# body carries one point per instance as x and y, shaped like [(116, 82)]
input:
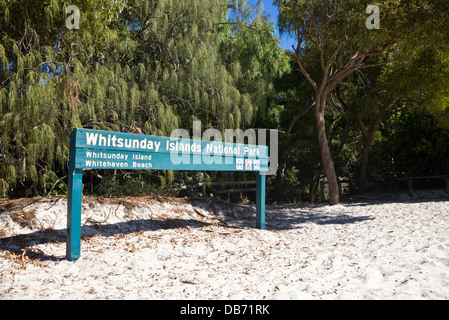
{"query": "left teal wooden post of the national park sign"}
[(75, 185)]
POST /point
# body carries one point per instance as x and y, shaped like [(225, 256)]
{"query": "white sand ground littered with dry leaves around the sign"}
[(175, 250)]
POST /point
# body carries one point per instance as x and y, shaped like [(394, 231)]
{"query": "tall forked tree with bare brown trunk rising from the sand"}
[(335, 34)]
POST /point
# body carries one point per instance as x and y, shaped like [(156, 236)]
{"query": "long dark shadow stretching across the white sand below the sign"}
[(278, 218)]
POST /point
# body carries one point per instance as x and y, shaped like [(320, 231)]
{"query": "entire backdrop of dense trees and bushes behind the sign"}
[(378, 99)]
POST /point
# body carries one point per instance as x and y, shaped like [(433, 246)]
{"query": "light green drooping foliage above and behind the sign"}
[(140, 66)]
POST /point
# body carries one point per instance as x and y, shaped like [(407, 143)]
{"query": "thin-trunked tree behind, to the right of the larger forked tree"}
[(408, 84)]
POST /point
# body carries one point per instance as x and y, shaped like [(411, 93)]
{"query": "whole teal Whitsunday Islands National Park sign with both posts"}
[(93, 149)]
